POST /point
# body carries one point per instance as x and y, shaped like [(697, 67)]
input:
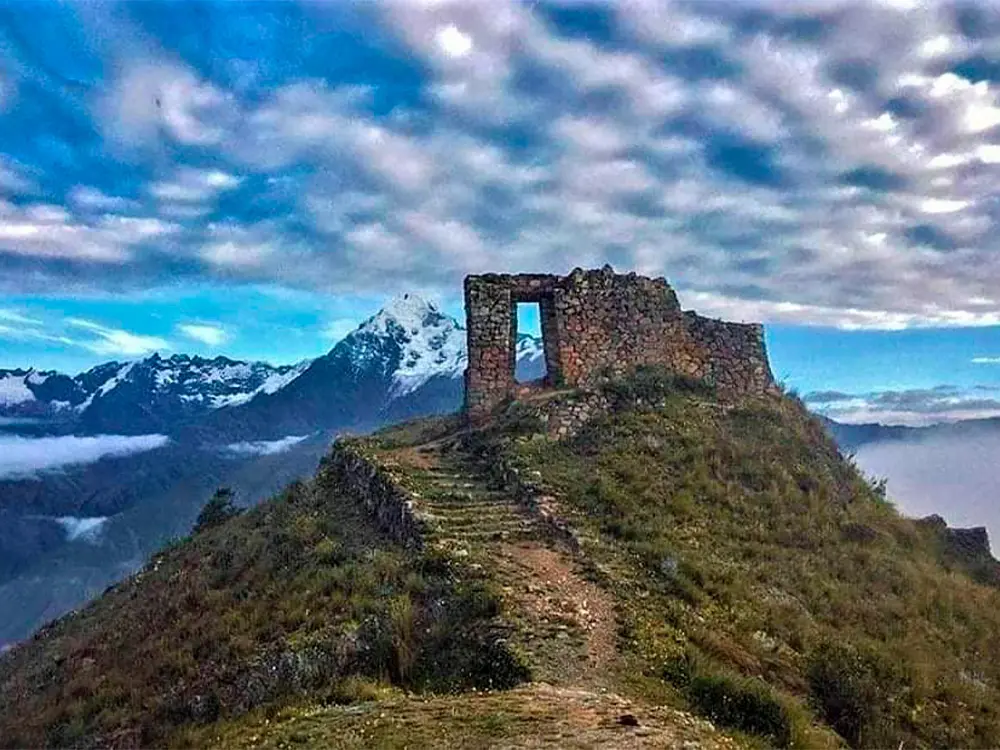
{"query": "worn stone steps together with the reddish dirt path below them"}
[(560, 623)]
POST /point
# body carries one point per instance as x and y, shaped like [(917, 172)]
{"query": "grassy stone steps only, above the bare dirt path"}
[(460, 508)]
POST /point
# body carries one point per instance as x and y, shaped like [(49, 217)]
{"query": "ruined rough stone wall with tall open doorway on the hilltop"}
[(597, 325)]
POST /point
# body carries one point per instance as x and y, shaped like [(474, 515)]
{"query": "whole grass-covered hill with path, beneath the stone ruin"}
[(733, 582)]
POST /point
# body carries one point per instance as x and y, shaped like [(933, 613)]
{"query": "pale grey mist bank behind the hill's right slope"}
[(952, 476)]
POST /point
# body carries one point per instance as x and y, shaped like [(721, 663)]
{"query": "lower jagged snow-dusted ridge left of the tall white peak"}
[(144, 395)]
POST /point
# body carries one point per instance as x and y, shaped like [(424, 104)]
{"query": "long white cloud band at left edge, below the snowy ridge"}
[(25, 456)]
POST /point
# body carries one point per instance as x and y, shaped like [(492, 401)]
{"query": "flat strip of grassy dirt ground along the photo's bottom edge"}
[(535, 716)]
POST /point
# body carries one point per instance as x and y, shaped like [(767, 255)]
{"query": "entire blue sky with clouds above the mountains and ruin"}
[(255, 178)]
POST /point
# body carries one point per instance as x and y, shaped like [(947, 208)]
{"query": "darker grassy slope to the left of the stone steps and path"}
[(297, 600)]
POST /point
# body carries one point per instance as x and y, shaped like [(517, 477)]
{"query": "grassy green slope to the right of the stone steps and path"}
[(764, 581)]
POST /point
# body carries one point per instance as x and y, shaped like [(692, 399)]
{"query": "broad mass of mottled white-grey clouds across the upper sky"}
[(846, 176)]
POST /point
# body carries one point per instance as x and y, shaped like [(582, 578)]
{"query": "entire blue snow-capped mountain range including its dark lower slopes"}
[(68, 532)]
